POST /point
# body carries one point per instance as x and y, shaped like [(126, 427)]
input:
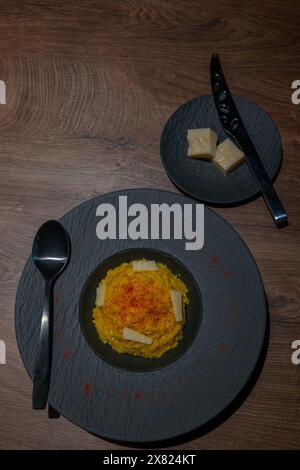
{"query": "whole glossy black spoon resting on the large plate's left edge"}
[(50, 253)]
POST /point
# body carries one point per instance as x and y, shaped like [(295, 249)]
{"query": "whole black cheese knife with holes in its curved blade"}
[(236, 130)]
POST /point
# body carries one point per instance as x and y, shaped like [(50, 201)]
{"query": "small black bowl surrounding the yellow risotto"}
[(125, 361)]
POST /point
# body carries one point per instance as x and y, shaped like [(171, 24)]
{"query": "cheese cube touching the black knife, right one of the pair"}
[(228, 157)]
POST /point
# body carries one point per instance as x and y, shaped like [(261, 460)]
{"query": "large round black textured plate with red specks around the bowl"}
[(151, 405)]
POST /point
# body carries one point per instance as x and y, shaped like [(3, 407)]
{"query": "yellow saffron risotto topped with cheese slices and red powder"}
[(140, 309)]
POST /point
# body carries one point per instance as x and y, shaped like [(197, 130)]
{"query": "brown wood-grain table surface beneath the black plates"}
[(89, 87)]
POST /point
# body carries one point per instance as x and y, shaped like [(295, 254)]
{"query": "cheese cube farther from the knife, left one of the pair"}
[(202, 143)]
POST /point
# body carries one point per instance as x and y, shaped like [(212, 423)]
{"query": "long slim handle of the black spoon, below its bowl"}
[(41, 379)]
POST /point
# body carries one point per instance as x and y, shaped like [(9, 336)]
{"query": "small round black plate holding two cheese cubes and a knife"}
[(199, 178)]
